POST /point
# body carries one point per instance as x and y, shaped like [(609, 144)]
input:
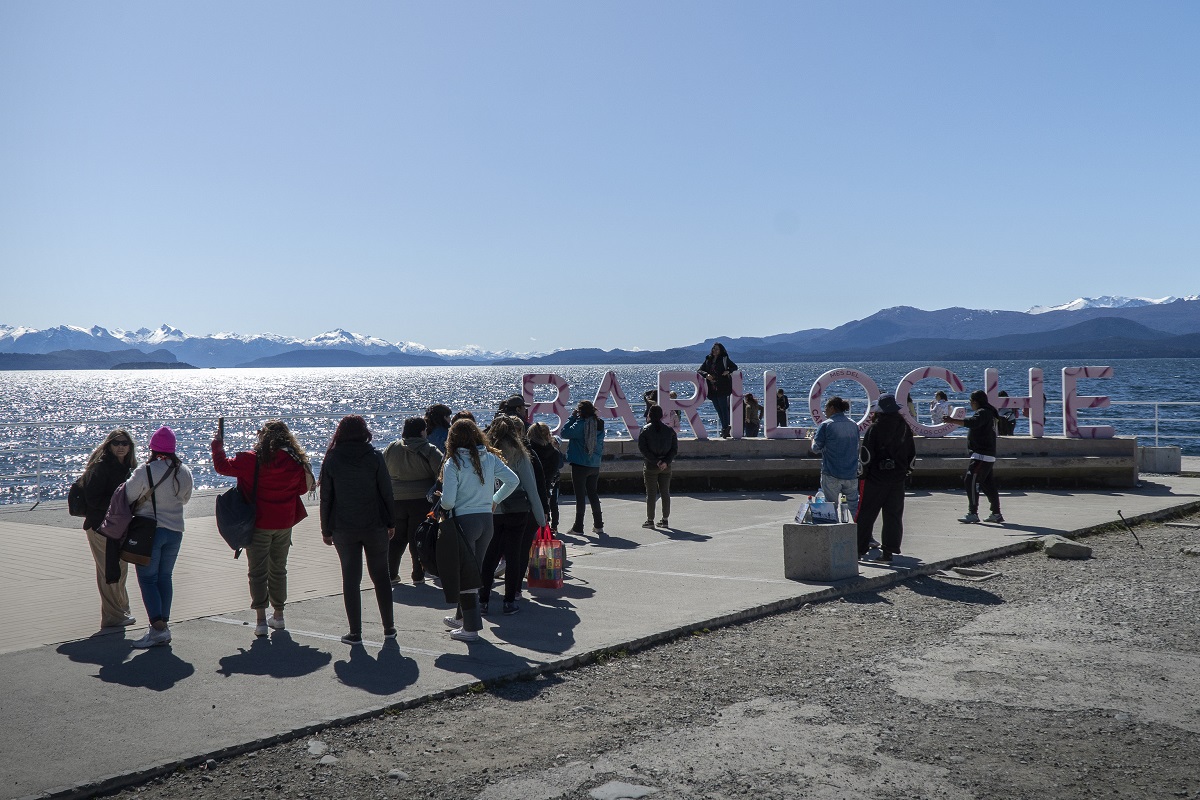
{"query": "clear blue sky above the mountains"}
[(535, 176)]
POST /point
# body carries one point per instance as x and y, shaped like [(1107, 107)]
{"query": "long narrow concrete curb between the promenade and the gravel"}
[(117, 783)]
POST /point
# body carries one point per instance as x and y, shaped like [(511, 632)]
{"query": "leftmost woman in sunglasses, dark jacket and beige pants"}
[(110, 466)]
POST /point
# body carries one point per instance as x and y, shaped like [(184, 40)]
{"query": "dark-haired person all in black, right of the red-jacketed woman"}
[(357, 520)]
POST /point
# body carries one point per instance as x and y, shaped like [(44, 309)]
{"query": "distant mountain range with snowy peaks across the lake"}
[(1100, 328)]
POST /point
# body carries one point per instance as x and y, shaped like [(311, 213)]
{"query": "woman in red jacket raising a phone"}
[(285, 474)]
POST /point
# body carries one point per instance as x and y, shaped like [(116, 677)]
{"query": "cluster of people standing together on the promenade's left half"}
[(493, 489)]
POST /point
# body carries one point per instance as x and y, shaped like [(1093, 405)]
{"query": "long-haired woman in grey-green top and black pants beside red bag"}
[(517, 519)]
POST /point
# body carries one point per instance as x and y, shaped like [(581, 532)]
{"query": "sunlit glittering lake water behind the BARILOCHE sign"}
[(52, 420)]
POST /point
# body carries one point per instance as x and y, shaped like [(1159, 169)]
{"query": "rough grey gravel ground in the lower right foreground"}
[(1064, 679)]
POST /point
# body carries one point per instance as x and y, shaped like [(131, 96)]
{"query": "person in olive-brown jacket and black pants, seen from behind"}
[(413, 465)]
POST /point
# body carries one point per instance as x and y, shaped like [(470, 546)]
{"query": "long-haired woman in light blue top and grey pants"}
[(469, 490)]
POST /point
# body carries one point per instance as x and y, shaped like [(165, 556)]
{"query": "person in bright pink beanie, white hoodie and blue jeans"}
[(160, 489)]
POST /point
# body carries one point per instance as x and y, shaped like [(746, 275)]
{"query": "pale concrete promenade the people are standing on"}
[(82, 711)]
